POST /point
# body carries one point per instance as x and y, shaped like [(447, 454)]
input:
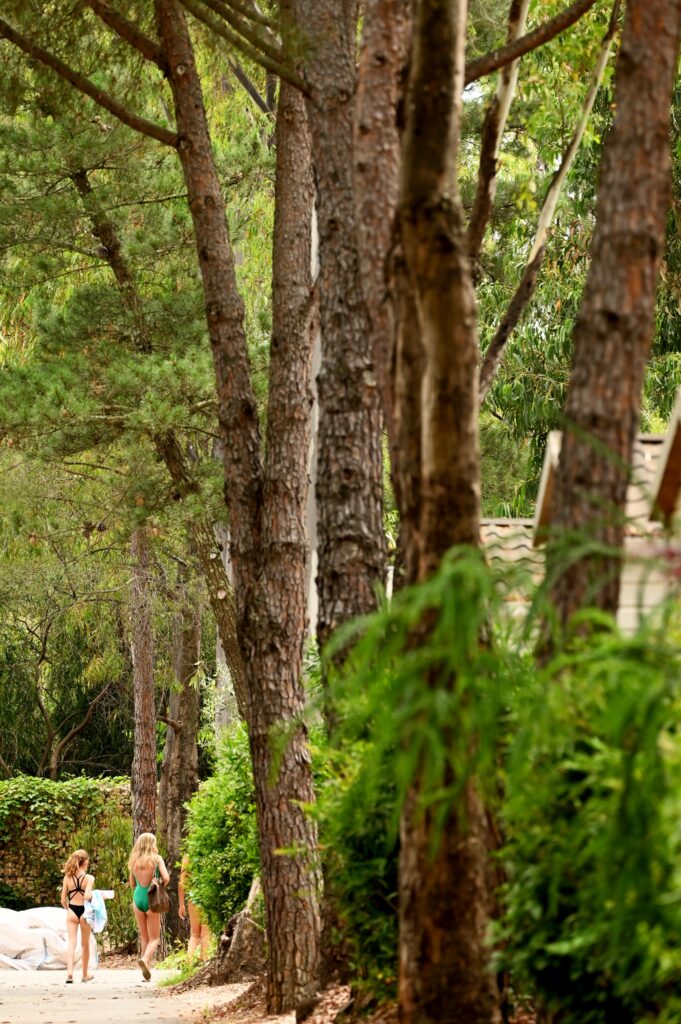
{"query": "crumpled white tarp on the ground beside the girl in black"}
[(36, 941)]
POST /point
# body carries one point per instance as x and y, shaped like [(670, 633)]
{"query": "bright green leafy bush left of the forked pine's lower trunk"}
[(222, 843)]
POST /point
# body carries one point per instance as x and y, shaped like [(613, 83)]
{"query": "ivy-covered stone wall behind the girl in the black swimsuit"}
[(37, 837)]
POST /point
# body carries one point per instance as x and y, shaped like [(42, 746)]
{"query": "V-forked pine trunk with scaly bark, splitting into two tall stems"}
[(267, 506)]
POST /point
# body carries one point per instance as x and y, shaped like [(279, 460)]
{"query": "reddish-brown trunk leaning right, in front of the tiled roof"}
[(615, 328)]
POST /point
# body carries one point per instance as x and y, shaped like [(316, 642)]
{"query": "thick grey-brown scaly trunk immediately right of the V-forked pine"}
[(352, 541)]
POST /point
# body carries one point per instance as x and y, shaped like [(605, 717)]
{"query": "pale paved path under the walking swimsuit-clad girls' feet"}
[(113, 998)]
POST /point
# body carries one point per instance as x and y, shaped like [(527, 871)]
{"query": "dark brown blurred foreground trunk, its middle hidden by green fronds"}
[(444, 898)]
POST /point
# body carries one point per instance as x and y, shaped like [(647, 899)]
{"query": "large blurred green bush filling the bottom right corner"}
[(593, 832)]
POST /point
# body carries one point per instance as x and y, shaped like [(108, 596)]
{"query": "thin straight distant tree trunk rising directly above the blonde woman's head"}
[(142, 646)]
